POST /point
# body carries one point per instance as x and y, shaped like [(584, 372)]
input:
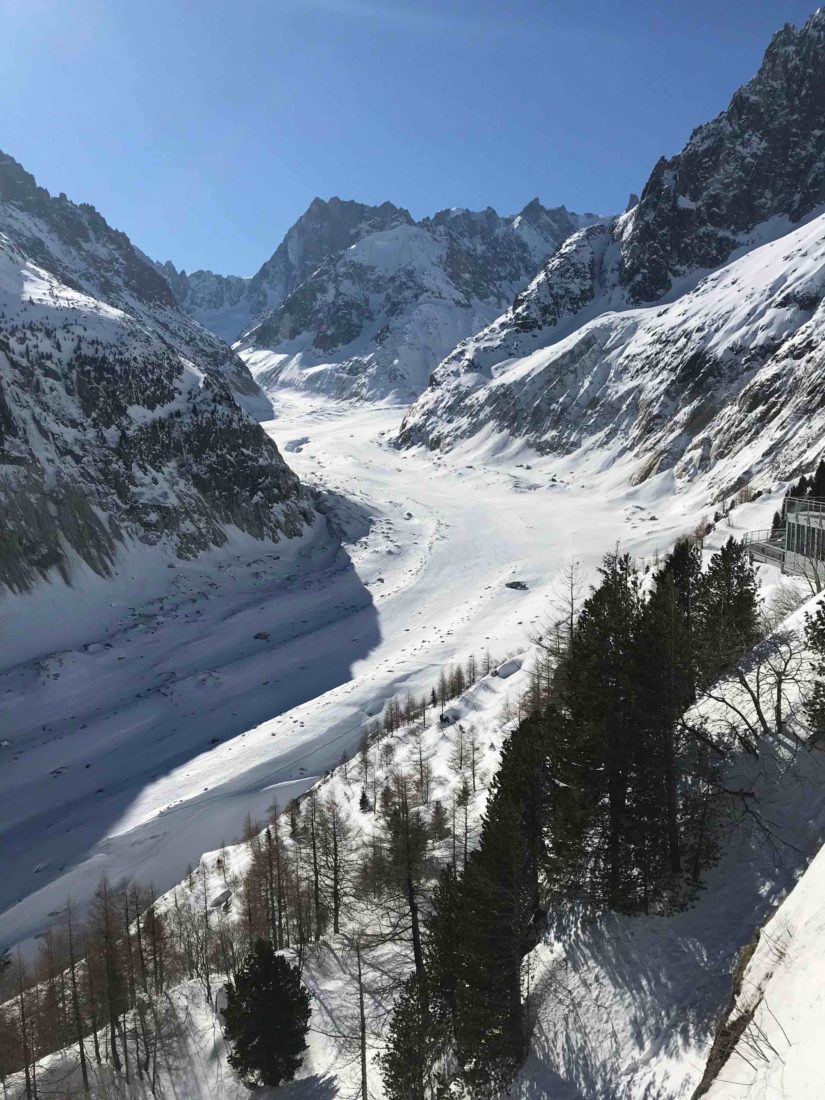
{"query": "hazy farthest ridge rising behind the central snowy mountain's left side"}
[(230, 304)]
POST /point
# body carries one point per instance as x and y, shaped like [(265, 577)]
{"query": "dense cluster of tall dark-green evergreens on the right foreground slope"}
[(606, 799)]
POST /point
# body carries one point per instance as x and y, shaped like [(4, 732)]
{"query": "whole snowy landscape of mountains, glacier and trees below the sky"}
[(457, 731)]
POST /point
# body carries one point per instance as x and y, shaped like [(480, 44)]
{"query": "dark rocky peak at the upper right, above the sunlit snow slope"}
[(762, 158)]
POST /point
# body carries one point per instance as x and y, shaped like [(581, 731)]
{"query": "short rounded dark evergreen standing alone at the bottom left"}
[(267, 1018)]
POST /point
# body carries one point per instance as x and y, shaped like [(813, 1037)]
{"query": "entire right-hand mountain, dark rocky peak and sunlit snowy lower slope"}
[(687, 329)]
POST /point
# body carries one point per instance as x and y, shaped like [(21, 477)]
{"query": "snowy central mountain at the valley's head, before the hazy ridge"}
[(375, 321)]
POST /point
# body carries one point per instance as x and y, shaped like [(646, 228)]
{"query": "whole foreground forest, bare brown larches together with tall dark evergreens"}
[(607, 798)]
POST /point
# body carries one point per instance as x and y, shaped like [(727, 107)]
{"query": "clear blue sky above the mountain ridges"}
[(204, 128)]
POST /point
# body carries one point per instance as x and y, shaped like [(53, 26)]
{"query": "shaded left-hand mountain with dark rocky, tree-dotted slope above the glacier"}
[(119, 415)]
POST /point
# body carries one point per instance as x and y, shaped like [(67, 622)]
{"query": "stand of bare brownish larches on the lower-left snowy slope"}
[(100, 985)]
